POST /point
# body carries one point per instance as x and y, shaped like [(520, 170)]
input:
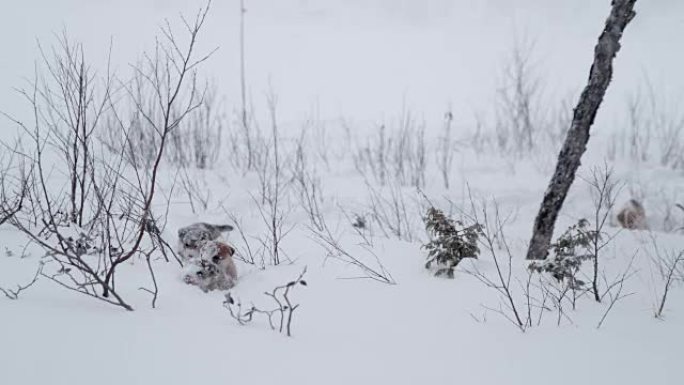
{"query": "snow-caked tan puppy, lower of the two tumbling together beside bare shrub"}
[(213, 269)]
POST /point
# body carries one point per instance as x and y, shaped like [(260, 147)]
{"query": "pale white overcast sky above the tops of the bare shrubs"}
[(363, 58)]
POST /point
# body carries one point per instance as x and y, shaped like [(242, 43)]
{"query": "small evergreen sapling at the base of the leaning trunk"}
[(569, 251)]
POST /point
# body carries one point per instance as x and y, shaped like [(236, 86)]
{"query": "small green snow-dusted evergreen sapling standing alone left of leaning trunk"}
[(450, 242)]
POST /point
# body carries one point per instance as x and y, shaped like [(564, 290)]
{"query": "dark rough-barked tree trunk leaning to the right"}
[(577, 138)]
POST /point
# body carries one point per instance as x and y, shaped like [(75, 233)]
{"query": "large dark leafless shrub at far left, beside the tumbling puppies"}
[(106, 213)]
